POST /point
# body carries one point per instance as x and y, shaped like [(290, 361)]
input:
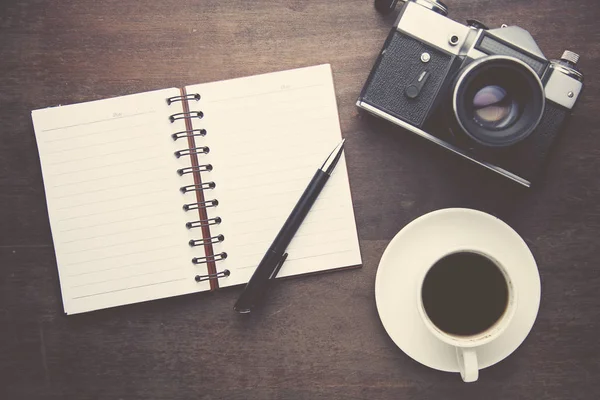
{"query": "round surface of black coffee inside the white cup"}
[(464, 294)]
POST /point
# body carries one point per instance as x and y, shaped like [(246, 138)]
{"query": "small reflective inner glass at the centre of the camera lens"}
[(494, 107)]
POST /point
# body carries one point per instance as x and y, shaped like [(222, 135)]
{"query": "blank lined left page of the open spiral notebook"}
[(114, 202)]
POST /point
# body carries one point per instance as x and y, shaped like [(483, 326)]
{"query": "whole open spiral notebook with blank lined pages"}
[(150, 198)]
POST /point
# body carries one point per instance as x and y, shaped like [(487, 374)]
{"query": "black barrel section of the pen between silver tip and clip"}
[(303, 206)]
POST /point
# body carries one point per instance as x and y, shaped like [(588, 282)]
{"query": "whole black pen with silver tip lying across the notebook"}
[(274, 258)]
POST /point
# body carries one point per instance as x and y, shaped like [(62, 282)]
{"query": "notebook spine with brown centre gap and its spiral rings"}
[(195, 152)]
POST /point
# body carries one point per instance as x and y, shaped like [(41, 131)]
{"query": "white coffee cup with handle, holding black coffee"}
[(466, 345)]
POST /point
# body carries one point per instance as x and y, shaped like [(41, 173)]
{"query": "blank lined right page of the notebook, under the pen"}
[(268, 134)]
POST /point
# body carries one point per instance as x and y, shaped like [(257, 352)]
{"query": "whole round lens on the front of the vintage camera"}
[(498, 101)]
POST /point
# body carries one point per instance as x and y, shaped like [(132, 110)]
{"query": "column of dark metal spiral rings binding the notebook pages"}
[(193, 152)]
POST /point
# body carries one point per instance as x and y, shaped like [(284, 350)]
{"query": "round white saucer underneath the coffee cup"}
[(420, 244)]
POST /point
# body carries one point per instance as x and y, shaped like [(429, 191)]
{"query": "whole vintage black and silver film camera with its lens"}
[(489, 95)]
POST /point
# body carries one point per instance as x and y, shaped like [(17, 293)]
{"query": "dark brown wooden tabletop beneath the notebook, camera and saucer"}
[(319, 337)]
